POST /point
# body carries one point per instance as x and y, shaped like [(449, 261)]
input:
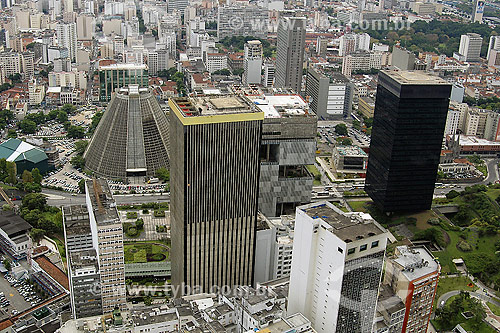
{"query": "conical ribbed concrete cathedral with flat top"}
[(131, 139)]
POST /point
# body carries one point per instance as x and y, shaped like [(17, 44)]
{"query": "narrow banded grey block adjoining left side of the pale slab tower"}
[(83, 267)]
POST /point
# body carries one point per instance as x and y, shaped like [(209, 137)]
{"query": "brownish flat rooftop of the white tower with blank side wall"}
[(347, 226)]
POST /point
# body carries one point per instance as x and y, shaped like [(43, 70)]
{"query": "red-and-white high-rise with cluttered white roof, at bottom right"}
[(413, 275)]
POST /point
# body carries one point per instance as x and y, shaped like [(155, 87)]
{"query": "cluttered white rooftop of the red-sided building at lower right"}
[(416, 262)]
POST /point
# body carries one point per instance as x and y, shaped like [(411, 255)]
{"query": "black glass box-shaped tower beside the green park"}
[(402, 168)]
